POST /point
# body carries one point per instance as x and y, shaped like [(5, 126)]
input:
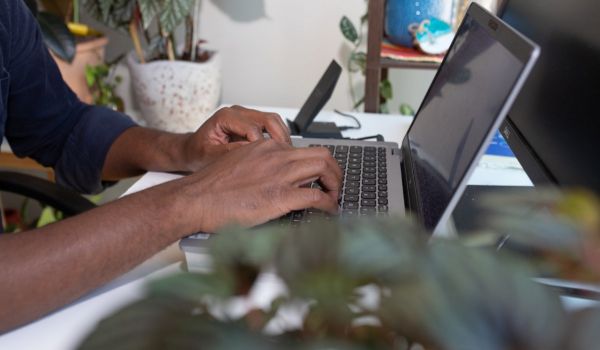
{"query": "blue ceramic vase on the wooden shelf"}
[(400, 14)]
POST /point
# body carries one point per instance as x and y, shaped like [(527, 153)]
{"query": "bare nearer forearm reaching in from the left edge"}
[(46, 268)]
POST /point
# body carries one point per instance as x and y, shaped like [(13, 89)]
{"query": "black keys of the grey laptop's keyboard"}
[(365, 189)]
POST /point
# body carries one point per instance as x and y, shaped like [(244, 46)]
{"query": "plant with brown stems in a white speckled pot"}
[(176, 86)]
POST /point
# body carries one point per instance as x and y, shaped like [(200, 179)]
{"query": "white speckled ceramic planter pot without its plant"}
[(176, 96)]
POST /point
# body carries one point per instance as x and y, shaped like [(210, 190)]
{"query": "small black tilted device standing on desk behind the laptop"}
[(303, 123)]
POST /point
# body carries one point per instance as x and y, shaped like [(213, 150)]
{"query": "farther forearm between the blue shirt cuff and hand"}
[(138, 150)]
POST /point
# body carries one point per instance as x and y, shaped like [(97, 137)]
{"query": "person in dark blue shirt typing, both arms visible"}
[(235, 176)]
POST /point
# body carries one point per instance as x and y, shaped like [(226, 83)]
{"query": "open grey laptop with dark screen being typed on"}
[(472, 91)]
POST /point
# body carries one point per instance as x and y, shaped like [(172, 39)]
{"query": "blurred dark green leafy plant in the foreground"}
[(374, 285)]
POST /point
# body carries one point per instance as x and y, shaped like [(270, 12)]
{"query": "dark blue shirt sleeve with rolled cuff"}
[(40, 116)]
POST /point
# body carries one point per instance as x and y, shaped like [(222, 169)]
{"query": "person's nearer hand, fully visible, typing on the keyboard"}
[(257, 183)]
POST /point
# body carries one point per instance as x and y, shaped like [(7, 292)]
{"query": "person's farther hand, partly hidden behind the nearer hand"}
[(230, 128)]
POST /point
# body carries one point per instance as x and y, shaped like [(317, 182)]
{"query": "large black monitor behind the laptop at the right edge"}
[(554, 125)]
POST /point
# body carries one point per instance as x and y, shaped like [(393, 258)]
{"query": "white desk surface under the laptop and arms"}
[(65, 328)]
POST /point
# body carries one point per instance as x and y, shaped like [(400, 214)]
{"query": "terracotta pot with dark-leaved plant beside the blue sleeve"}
[(72, 44)]
